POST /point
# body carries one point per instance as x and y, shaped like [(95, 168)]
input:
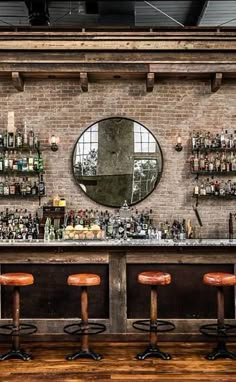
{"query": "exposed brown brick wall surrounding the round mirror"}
[(175, 106)]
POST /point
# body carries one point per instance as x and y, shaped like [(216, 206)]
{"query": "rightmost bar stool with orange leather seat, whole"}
[(220, 330)]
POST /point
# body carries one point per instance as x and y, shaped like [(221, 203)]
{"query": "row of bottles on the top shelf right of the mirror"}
[(207, 140)]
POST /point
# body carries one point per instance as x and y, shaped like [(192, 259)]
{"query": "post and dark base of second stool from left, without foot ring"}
[(85, 352)]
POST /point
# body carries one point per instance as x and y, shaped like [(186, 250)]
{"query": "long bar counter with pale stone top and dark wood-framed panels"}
[(120, 300)]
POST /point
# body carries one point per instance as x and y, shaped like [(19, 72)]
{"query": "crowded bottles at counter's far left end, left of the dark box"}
[(18, 225)]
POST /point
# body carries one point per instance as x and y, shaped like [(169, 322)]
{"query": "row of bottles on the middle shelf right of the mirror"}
[(217, 162)]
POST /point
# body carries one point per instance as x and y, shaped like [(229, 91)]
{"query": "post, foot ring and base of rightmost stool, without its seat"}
[(220, 330)]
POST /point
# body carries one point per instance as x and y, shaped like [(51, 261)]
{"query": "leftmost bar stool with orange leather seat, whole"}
[(16, 329)]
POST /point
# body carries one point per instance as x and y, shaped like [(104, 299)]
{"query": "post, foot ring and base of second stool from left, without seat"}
[(84, 329)]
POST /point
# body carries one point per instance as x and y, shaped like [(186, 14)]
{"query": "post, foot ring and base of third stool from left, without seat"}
[(153, 326)]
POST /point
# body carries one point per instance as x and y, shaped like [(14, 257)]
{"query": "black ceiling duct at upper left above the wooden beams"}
[(38, 12)]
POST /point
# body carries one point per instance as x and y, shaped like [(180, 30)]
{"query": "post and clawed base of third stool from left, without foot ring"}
[(153, 350)]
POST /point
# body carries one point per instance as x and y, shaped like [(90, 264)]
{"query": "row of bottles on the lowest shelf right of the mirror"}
[(215, 187)]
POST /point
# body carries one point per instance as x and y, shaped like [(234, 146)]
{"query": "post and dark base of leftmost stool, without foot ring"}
[(16, 352)]
